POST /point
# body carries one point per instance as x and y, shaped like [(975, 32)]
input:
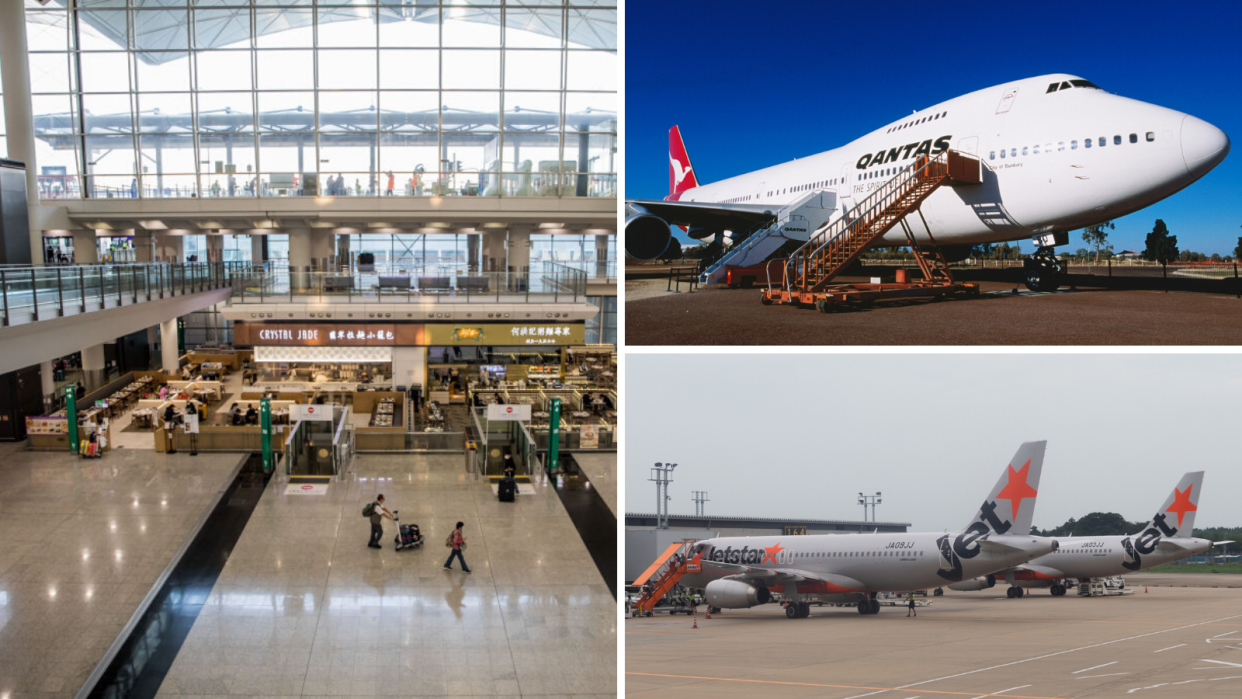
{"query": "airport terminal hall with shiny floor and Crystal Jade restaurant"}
[(264, 261)]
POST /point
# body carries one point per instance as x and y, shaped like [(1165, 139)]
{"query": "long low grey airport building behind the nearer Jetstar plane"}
[(645, 541)]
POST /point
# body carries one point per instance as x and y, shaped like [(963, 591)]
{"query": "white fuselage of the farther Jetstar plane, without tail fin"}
[(1104, 557)]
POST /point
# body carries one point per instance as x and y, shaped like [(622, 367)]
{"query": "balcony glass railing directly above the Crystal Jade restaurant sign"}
[(413, 285)]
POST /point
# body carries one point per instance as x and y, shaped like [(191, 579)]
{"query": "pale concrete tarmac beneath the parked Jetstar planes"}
[(1162, 644)]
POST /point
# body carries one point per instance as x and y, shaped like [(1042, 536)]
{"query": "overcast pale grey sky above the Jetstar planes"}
[(799, 436)]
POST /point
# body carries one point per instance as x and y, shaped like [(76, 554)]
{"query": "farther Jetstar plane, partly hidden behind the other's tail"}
[(1166, 539)]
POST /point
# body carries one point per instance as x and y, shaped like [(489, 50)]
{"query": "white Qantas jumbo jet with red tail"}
[(1059, 155)]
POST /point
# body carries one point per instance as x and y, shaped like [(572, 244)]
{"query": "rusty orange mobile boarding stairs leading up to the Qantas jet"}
[(805, 279)]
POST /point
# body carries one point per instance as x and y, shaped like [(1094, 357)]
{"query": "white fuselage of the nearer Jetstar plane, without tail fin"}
[(877, 562)]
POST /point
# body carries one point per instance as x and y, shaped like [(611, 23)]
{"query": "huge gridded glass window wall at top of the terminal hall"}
[(300, 99)]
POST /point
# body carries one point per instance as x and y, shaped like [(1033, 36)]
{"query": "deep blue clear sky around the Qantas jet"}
[(758, 84)]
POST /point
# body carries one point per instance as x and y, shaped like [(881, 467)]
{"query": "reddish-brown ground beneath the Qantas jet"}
[(1084, 317)]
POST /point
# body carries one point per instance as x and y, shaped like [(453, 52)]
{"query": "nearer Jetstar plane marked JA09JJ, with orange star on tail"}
[(745, 572)]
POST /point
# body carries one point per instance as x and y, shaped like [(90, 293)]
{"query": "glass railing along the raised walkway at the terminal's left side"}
[(33, 294)]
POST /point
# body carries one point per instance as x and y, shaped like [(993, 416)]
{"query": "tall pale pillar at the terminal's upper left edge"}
[(19, 116)]
